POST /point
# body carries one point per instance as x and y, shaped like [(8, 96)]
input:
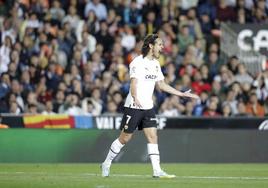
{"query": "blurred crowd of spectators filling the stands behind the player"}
[(72, 57)]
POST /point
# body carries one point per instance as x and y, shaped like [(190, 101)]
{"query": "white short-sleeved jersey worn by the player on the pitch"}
[(147, 72)]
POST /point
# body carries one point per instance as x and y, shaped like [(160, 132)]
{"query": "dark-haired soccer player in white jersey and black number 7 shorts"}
[(145, 72)]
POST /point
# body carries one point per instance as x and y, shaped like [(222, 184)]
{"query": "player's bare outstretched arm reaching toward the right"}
[(167, 88)]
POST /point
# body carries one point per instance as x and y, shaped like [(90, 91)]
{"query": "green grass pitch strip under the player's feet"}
[(133, 176)]
